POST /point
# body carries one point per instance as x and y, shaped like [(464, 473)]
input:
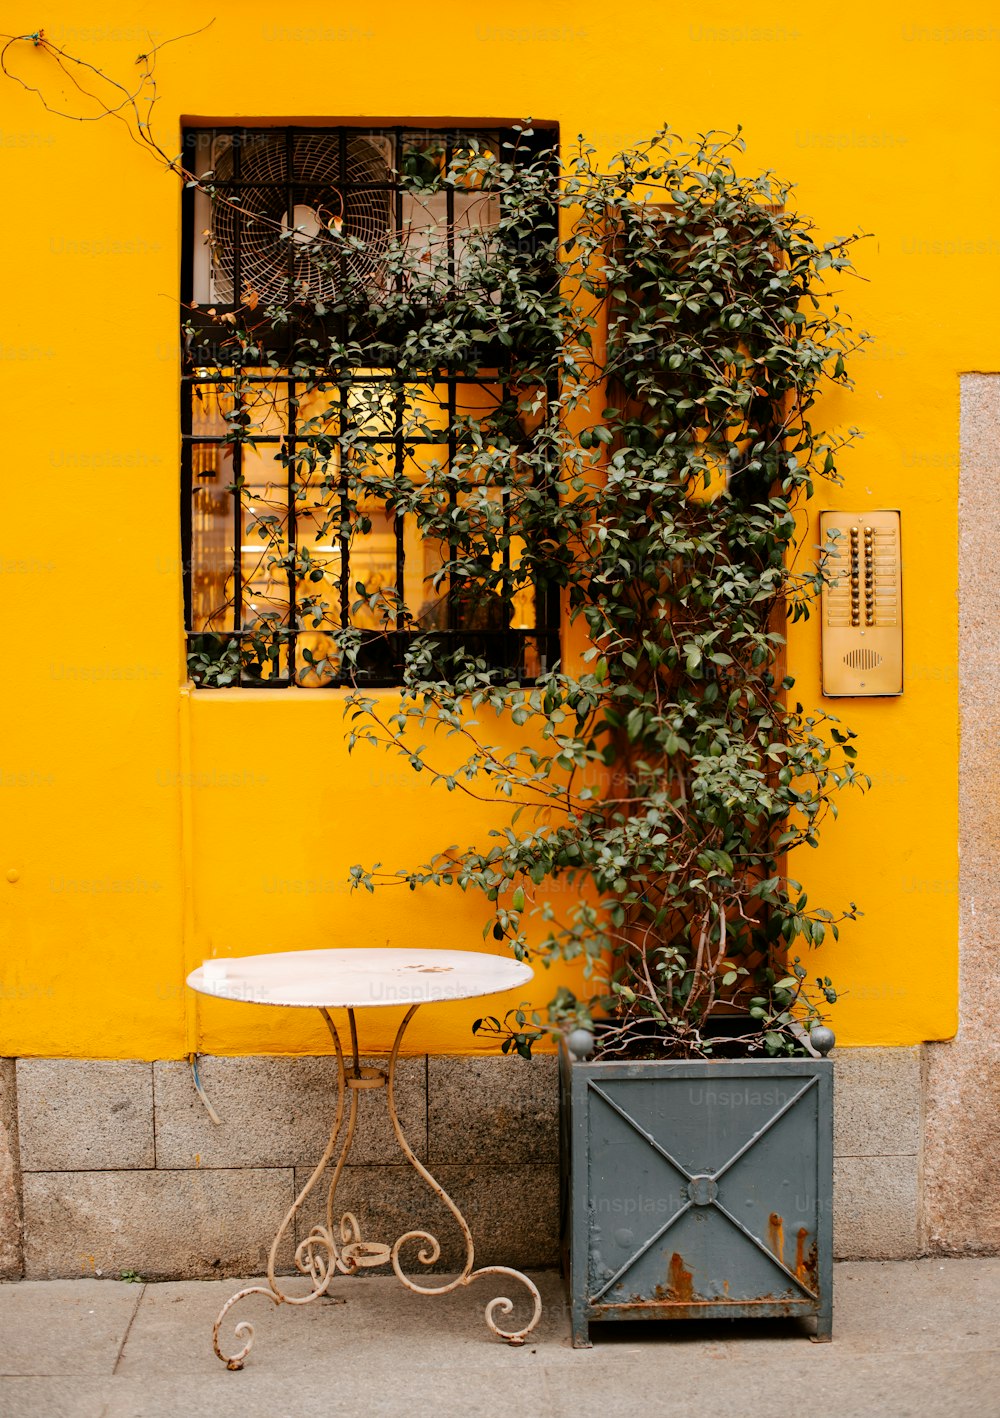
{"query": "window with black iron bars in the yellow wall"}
[(289, 542)]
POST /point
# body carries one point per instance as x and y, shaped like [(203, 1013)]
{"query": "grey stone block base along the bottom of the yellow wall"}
[(117, 1166)]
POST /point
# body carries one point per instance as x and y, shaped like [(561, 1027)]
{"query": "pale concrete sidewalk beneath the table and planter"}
[(911, 1338)]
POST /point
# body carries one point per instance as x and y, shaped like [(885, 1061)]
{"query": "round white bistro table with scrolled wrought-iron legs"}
[(362, 981)]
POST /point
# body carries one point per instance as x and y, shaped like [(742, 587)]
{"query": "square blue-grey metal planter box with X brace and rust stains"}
[(697, 1190)]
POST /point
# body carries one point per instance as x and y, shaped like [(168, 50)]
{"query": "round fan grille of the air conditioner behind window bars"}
[(256, 213)]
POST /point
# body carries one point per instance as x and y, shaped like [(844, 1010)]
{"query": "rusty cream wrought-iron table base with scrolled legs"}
[(334, 1249)]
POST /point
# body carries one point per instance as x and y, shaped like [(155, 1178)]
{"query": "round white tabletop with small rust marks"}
[(358, 979)]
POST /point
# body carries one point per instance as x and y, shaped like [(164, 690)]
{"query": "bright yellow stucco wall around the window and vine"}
[(148, 827)]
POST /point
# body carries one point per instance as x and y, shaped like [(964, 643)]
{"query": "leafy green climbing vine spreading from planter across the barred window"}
[(656, 334)]
